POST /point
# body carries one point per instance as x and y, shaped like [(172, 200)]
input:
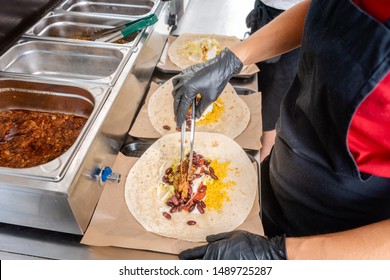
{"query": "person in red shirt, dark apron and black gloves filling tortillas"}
[(326, 185)]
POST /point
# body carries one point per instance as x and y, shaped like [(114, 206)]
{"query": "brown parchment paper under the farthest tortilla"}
[(165, 65)]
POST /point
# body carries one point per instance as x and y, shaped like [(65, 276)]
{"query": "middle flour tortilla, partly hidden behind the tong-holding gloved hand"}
[(232, 122)]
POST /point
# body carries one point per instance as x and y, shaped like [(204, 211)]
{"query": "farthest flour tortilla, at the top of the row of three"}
[(176, 55)]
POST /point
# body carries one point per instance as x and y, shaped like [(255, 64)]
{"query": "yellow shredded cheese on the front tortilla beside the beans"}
[(217, 190)]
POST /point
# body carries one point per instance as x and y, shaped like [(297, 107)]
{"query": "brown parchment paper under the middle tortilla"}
[(248, 139)]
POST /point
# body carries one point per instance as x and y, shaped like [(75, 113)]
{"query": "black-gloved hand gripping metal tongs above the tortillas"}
[(208, 79)]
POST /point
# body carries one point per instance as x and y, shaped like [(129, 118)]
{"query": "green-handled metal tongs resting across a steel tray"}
[(124, 30)]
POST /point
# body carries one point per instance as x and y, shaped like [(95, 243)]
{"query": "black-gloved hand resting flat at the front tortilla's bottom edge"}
[(238, 245)]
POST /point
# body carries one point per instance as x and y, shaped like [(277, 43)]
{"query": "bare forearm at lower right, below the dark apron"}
[(368, 242)]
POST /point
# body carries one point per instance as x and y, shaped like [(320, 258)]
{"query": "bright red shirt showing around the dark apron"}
[(369, 133)]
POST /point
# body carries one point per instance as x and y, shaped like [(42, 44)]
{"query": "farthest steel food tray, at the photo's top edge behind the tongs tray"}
[(119, 8)]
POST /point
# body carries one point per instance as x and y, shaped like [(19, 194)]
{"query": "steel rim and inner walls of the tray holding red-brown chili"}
[(83, 100)]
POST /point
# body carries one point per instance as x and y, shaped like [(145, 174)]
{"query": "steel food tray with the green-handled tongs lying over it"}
[(75, 27)]
